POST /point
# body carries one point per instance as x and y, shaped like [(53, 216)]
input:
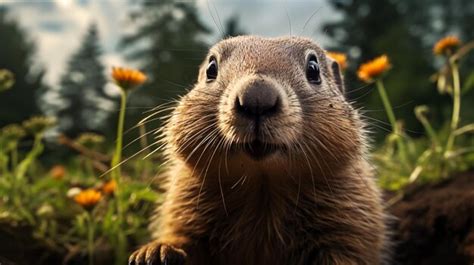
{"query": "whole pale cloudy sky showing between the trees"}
[(57, 26)]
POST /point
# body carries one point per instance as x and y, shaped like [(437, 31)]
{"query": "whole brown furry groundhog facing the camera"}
[(267, 164)]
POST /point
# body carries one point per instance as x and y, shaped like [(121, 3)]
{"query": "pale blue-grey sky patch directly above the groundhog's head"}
[(270, 18)]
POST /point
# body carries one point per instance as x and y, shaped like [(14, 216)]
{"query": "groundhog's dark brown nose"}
[(257, 99)]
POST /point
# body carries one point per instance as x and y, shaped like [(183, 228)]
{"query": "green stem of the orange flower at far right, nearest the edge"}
[(456, 106)]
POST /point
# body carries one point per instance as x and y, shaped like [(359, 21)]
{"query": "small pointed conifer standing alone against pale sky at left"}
[(82, 89)]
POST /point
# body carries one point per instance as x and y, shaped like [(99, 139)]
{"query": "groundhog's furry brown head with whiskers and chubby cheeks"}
[(267, 103)]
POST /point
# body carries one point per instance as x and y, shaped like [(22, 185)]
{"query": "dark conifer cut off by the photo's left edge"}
[(17, 55)]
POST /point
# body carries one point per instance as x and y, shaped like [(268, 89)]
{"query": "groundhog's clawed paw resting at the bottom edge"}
[(157, 254)]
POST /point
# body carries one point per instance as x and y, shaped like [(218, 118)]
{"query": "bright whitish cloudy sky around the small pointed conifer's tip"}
[(59, 25)]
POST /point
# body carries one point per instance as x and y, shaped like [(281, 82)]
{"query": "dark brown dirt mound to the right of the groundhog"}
[(436, 223)]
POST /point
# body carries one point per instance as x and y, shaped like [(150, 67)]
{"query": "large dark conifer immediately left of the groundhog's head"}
[(174, 50)]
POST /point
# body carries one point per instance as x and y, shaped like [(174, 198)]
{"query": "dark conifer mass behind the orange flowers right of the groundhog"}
[(406, 31)]
